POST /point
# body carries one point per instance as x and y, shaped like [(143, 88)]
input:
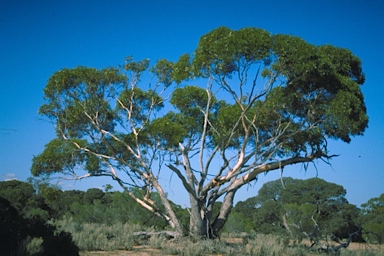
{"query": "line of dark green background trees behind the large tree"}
[(311, 209)]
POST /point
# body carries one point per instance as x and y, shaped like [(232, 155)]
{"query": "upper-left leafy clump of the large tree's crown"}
[(71, 92)]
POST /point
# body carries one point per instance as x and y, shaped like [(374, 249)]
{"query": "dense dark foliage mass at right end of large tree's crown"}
[(324, 82)]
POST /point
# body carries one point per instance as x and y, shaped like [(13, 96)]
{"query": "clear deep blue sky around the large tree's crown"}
[(38, 38)]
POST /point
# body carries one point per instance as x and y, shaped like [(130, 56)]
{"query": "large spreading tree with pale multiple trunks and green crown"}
[(247, 102)]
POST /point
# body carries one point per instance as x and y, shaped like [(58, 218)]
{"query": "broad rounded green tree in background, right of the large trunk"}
[(310, 206)]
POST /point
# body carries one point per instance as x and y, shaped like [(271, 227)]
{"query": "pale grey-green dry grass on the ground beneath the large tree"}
[(118, 239)]
